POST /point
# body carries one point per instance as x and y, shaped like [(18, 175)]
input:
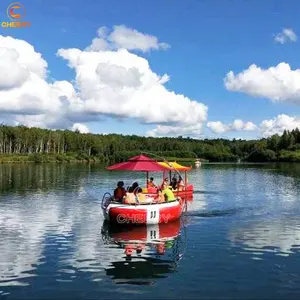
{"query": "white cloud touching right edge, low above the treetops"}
[(278, 124)]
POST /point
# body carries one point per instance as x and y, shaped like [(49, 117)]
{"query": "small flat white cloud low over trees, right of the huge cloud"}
[(237, 125)]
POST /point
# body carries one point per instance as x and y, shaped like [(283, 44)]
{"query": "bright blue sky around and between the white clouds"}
[(207, 40)]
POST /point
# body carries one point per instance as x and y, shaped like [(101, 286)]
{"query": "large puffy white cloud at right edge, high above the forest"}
[(279, 83)]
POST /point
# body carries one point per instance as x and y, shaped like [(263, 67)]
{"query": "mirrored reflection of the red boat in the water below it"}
[(149, 252)]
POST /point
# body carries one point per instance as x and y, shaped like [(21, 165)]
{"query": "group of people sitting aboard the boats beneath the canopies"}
[(134, 193)]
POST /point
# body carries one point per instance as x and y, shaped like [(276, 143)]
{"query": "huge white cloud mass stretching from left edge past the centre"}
[(110, 81)]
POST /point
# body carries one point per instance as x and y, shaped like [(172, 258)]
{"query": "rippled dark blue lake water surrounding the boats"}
[(239, 239)]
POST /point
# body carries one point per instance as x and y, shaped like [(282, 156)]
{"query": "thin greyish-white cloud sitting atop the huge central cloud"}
[(126, 38)]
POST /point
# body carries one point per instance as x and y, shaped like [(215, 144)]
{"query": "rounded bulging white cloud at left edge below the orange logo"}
[(23, 86)]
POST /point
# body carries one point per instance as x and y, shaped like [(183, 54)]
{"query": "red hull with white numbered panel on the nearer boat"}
[(144, 213)]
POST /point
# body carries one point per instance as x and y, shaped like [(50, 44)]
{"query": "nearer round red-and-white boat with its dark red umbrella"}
[(150, 211)]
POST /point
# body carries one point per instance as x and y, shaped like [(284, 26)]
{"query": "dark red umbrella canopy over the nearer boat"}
[(139, 163)]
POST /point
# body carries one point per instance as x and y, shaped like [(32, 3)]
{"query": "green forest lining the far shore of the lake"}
[(23, 144)]
